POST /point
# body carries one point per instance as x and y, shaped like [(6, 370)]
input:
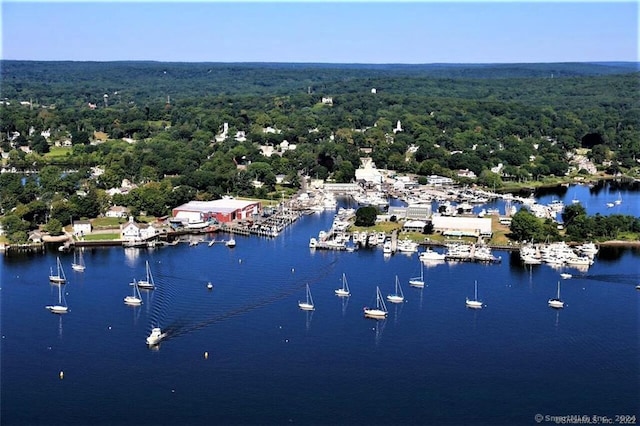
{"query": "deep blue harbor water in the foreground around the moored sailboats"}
[(433, 361)]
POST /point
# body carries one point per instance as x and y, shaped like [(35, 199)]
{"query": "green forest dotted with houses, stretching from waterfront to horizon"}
[(159, 126)]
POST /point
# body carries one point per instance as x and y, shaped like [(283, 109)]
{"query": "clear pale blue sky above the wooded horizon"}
[(373, 32)]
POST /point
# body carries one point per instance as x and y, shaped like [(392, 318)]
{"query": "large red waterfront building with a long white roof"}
[(222, 210)]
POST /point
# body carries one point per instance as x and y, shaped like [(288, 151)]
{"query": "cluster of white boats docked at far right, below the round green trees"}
[(559, 254)]
